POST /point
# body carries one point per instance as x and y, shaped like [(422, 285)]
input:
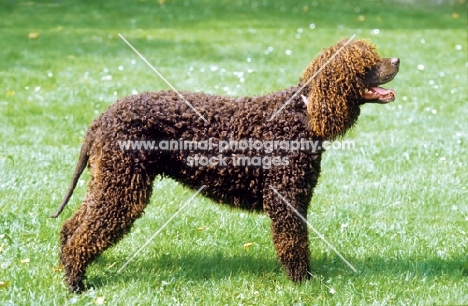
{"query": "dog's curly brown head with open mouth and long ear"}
[(340, 80)]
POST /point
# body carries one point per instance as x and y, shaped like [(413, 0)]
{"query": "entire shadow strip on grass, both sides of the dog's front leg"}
[(201, 267)]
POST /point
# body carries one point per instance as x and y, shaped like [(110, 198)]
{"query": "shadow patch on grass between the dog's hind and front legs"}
[(195, 267)]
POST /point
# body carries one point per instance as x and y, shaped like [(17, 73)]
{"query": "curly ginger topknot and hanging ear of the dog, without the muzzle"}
[(335, 84)]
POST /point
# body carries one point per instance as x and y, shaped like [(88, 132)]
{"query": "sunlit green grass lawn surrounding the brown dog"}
[(395, 206)]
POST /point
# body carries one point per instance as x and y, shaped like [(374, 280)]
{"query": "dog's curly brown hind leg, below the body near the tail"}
[(114, 201)]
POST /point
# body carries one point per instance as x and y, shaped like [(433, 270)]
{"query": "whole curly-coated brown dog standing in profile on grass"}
[(253, 148)]
